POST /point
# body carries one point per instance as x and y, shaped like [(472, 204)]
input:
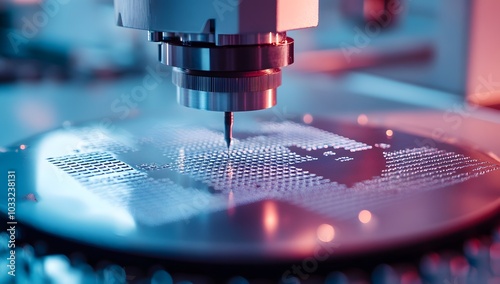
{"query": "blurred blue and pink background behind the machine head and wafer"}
[(65, 61)]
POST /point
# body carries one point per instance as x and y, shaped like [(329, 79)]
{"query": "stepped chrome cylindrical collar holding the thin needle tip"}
[(238, 73)]
